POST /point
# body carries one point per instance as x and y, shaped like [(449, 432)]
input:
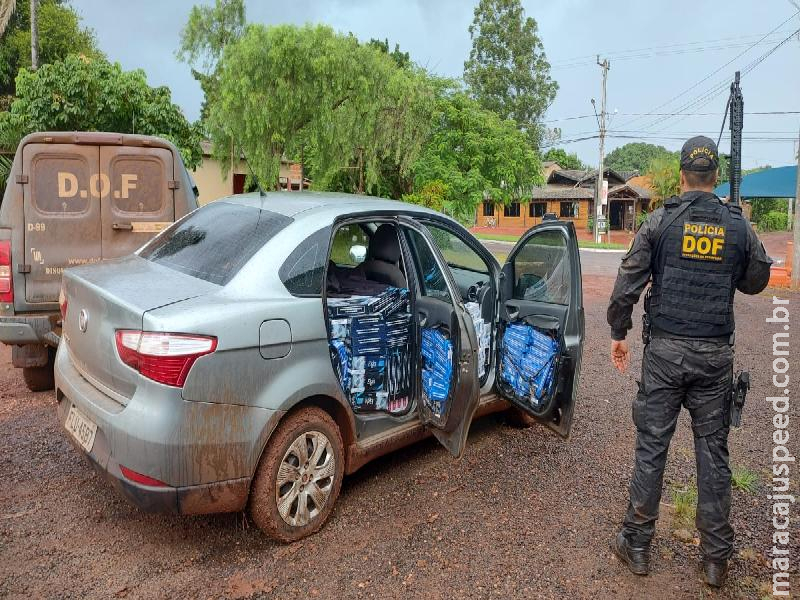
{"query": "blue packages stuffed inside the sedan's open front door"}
[(528, 358)]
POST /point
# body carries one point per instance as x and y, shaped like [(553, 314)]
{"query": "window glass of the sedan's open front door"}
[(542, 269)]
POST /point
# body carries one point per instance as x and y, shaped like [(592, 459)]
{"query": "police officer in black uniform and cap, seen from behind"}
[(697, 251)]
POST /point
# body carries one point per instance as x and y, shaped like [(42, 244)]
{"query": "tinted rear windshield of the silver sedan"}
[(213, 243)]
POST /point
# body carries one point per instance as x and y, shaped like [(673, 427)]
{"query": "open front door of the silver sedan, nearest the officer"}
[(541, 324)]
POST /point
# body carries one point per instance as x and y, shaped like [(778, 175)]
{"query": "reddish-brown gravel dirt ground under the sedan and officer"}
[(523, 514)]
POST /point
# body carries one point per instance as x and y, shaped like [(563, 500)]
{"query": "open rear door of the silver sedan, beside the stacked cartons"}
[(448, 390)]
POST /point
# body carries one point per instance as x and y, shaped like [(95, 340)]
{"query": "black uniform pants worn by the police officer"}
[(697, 375)]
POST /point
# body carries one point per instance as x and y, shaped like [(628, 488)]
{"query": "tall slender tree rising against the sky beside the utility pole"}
[(507, 71)]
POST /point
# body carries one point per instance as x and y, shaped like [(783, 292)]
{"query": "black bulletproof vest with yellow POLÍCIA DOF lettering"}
[(697, 263)]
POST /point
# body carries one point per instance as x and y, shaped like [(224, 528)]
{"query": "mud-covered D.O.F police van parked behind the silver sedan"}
[(71, 199)]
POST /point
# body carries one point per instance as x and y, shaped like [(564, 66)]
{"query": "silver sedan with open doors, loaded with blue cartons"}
[(266, 345)]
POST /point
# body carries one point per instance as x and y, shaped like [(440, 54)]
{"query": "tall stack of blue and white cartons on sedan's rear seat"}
[(370, 349)]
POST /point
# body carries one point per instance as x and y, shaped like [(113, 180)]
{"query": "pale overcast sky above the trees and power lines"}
[(656, 53)]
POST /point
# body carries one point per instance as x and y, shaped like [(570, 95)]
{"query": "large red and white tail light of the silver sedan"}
[(162, 357)]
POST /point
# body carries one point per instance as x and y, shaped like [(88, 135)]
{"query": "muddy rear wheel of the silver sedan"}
[(286, 480)]
